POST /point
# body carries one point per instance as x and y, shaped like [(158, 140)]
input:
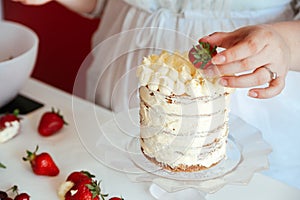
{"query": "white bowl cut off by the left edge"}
[(18, 52)]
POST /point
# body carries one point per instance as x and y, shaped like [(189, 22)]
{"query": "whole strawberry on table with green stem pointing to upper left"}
[(41, 164)]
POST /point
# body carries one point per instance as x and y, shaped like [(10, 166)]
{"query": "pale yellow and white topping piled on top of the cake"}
[(173, 73)]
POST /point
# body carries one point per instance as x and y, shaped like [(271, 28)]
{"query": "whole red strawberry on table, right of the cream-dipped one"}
[(50, 123)]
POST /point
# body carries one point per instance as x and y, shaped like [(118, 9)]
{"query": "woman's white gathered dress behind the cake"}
[(173, 26)]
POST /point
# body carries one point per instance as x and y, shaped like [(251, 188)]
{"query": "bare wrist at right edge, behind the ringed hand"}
[(290, 32)]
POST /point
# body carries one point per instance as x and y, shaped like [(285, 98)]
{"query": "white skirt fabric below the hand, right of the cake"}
[(278, 119)]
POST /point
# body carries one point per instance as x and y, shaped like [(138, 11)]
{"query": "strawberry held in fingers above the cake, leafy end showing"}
[(200, 55)]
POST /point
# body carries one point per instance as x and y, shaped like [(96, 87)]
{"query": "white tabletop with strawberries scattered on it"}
[(70, 155)]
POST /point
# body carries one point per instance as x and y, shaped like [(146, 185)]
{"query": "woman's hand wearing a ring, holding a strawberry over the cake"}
[(254, 55)]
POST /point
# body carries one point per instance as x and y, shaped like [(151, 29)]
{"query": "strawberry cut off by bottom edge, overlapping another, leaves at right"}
[(85, 191)]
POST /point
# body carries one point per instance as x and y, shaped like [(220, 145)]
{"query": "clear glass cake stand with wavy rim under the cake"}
[(116, 145)]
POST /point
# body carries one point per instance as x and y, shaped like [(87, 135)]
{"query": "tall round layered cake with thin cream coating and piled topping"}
[(183, 116)]
